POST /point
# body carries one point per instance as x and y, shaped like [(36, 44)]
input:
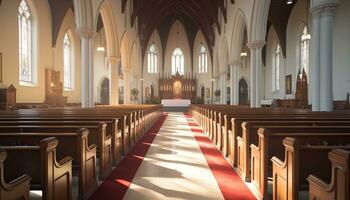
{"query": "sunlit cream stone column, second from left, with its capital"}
[(113, 80)]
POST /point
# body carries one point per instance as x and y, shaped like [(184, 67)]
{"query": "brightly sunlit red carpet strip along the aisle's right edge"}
[(230, 184)]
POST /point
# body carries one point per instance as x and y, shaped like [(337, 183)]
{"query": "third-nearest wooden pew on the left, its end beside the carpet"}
[(75, 144)]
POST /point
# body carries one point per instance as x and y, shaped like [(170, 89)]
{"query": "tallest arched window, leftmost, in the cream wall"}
[(25, 44)]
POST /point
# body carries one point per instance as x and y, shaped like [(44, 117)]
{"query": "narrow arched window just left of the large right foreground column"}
[(304, 50)]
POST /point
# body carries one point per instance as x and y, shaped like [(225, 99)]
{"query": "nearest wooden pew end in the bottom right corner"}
[(338, 188)]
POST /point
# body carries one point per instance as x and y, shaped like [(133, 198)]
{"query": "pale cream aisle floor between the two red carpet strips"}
[(174, 167)]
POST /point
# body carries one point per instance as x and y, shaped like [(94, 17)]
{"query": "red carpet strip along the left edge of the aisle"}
[(116, 185)]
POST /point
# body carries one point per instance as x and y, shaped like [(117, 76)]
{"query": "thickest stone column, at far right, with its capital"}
[(322, 54)]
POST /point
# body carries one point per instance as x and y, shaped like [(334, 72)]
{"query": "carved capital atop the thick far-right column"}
[(324, 7)]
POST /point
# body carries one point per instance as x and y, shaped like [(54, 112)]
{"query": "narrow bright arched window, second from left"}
[(67, 62)]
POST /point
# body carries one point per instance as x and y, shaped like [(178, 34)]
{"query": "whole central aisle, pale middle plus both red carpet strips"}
[(174, 160)]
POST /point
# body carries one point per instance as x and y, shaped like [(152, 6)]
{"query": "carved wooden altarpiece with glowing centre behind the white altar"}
[(177, 87)]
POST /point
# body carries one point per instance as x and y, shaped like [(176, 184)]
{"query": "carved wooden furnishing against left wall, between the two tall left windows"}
[(54, 88)]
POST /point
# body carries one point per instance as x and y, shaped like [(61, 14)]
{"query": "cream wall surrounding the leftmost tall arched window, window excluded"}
[(9, 47)]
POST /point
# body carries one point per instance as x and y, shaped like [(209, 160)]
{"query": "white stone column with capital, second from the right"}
[(255, 73)]
